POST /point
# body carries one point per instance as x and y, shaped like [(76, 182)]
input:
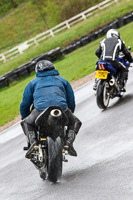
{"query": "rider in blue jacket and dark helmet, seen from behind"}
[(48, 89)]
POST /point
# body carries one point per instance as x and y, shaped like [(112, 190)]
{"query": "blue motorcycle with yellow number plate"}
[(108, 82)]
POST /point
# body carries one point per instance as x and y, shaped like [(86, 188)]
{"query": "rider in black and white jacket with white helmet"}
[(109, 50)]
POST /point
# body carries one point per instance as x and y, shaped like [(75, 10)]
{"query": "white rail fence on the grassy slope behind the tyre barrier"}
[(14, 52)]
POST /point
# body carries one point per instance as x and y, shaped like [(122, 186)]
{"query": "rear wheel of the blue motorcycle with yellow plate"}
[(102, 95)]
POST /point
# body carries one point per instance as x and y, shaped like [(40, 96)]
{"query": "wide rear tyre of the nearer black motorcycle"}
[(54, 159)]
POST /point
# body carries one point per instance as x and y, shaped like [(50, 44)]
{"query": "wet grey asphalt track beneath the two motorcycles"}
[(103, 169)]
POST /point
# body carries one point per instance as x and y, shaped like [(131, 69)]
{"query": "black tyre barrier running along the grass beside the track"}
[(57, 53)]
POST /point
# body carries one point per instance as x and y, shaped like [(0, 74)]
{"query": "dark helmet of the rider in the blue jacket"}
[(44, 65)]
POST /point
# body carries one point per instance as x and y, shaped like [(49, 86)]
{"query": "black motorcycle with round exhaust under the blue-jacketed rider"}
[(51, 134)]
